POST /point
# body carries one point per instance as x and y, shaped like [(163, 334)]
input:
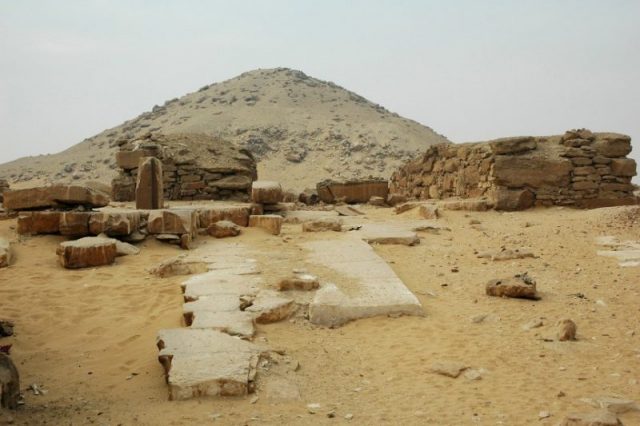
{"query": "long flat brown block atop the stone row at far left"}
[(53, 196)]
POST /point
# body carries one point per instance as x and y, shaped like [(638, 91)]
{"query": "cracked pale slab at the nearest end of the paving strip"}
[(200, 362)]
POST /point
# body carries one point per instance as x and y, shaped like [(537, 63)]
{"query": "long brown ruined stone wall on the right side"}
[(580, 168)]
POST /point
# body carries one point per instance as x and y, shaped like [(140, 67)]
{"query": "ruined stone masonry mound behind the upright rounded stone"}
[(194, 167)]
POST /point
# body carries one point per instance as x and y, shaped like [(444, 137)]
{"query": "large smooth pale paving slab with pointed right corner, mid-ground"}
[(368, 286)]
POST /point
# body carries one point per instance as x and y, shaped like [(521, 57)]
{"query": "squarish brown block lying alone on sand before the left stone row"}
[(86, 252)]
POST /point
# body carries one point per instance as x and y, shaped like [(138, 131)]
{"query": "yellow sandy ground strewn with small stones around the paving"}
[(82, 335)]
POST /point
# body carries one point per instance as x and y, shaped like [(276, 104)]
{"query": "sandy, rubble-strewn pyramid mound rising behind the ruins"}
[(301, 130)]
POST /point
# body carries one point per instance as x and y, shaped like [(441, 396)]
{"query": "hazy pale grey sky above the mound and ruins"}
[(471, 70)]
